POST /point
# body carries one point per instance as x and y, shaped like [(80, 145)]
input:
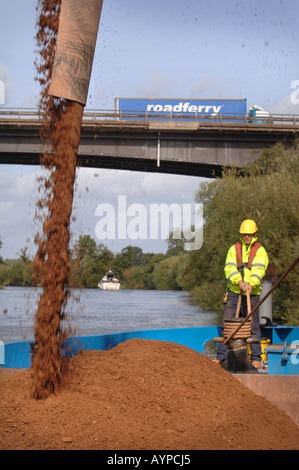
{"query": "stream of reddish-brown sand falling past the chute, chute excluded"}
[(62, 130)]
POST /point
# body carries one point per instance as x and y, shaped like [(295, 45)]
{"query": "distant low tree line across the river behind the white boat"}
[(90, 261)]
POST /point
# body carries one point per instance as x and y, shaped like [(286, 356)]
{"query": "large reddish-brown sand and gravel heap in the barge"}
[(143, 394)]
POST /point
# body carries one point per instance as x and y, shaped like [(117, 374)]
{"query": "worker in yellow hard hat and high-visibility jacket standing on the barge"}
[(245, 266)]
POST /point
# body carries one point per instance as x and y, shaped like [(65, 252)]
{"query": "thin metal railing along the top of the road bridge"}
[(34, 114)]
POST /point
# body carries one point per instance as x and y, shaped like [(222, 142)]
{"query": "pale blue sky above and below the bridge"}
[(163, 48)]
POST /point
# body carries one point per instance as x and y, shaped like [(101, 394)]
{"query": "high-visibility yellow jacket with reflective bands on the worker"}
[(252, 276)]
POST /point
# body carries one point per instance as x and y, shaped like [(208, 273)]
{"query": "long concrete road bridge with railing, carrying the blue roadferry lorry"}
[(139, 143)]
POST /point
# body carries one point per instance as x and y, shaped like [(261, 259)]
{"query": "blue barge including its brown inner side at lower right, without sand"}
[(278, 380)]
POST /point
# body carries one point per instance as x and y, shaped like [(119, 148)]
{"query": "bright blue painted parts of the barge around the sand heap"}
[(282, 351)]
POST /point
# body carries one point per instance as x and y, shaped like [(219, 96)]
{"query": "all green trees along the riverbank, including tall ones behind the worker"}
[(266, 190)]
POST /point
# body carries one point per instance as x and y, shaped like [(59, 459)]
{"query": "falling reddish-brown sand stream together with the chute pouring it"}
[(66, 39)]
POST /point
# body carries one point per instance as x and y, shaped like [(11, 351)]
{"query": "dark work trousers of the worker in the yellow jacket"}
[(230, 312)]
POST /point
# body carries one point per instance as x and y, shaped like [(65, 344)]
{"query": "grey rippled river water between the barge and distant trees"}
[(93, 312)]
